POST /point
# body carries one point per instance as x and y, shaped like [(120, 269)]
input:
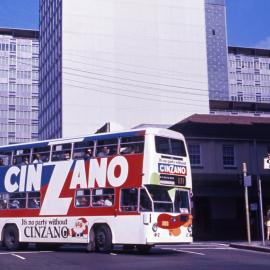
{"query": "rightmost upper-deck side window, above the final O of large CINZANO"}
[(132, 145)]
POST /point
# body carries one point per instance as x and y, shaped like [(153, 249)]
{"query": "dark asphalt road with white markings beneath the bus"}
[(199, 256)]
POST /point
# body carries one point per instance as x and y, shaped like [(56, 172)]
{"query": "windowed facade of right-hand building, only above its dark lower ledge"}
[(249, 74)]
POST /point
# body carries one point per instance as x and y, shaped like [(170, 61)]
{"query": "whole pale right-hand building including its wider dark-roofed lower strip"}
[(249, 83)]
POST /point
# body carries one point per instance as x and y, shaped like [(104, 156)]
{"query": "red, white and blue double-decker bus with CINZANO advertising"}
[(130, 188)]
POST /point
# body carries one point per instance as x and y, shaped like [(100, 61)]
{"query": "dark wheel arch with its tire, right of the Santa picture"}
[(102, 237)]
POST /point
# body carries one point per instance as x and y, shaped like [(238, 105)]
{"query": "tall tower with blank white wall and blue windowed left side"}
[(130, 62)]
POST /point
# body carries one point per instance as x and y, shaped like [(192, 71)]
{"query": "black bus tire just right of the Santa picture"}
[(103, 239)]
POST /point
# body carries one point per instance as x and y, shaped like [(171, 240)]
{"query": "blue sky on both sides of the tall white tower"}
[(248, 21)]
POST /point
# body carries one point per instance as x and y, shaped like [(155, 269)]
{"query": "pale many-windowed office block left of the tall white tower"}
[(19, 72)]
